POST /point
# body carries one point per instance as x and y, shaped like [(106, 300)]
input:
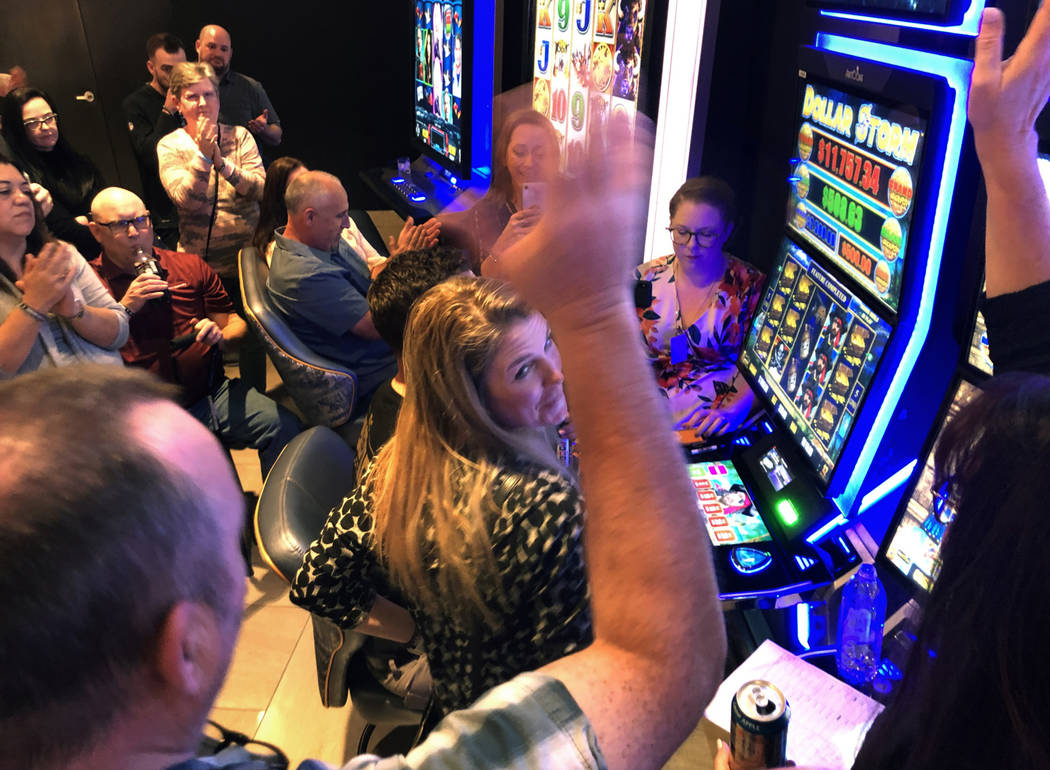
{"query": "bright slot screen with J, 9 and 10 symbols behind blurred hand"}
[(587, 68)]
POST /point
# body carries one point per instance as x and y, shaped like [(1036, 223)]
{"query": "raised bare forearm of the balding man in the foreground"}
[(654, 592)]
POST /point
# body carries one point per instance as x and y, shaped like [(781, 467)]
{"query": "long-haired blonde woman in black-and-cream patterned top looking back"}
[(466, 517)]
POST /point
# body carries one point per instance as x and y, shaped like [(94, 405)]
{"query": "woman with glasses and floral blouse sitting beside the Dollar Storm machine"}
[(696, 308)]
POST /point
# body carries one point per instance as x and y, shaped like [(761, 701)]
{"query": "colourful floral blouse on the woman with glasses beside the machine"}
[(707, 373)]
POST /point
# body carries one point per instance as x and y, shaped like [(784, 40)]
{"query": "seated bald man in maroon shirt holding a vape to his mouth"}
[(181, 321)]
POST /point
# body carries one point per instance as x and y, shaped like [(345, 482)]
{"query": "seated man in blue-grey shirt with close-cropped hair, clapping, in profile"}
[(320, 284)]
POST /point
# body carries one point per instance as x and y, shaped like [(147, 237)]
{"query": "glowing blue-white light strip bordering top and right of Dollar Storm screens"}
[(957, 74)]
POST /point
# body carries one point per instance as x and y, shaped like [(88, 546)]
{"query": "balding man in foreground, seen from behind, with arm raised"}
[(117, 506)]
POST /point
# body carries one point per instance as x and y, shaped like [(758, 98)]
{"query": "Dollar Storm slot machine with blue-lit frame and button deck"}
[(855, 342)]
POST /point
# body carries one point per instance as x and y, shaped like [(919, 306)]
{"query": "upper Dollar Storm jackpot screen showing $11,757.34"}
[(854, 189)]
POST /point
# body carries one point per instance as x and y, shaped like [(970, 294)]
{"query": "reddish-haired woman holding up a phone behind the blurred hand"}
[(527, 152)]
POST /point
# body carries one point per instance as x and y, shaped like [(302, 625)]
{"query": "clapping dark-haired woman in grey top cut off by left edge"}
[(54, 311)]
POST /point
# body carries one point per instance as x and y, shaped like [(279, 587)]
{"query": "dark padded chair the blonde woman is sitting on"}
[(313, 474)]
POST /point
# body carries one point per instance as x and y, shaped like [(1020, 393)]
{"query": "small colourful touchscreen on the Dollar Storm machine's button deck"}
[(726, 505)]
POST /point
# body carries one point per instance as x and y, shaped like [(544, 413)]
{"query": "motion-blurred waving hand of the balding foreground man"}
[(577, 263)]
